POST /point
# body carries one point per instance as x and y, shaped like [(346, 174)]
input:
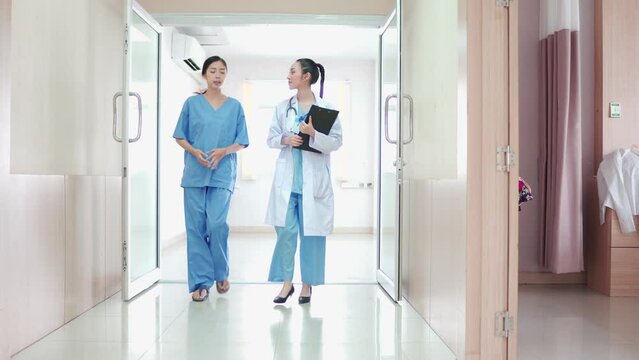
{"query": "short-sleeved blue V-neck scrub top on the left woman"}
[(206, 129)]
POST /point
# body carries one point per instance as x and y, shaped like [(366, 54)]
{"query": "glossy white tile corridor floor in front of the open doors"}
[(342, 322)]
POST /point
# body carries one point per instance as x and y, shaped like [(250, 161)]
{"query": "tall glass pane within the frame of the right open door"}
[(388, 153)]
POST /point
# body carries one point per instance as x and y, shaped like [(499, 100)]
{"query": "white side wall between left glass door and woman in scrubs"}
[(176, 87)]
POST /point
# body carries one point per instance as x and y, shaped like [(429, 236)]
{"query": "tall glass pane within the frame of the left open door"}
[(144, 81)]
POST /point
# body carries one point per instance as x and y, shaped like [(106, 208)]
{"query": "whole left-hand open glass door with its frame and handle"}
[(139, 125)]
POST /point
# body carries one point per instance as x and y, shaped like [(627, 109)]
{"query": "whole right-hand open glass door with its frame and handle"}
[(388, 246)]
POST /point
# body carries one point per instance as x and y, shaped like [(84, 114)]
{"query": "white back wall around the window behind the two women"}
[(353, 207)]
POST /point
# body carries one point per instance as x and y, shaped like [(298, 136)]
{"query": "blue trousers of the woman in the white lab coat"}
[(312, 248)]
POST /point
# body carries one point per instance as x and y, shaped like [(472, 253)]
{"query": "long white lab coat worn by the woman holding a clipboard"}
[(317, 189)]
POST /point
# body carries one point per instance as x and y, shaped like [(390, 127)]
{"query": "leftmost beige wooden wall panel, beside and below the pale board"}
[(31, 231)]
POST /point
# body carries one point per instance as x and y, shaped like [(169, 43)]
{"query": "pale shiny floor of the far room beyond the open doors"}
[(350, 259)]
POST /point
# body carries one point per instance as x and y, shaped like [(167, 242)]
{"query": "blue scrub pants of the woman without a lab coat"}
[(207, 233)]
